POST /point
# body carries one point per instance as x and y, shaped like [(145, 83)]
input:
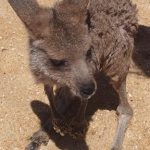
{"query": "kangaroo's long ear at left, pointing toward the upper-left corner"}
[(36, 19)]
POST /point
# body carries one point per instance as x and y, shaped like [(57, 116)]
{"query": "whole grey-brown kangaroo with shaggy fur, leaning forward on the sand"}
[(75, 39)]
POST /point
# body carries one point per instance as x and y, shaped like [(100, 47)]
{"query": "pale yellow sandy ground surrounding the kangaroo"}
[(23, 105)]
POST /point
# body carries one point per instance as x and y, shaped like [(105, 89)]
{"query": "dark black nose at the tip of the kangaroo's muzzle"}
[(87, 89)]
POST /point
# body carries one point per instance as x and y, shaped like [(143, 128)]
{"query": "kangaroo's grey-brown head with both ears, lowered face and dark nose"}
[(60, 45)]
